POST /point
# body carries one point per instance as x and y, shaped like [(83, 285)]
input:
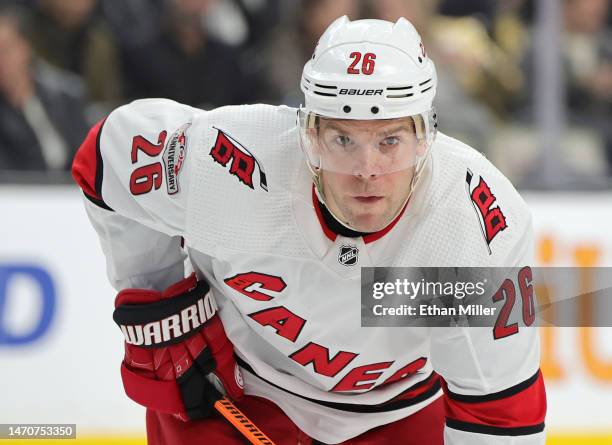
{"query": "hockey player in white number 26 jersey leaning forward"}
[(276, 236)]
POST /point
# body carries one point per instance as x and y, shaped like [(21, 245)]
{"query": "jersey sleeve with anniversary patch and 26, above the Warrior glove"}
[(133, 168)]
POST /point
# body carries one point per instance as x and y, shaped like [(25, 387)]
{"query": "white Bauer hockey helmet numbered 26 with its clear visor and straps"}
[(366, 70)]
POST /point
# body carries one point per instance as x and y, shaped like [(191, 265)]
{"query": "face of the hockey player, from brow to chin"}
[(366, 183)]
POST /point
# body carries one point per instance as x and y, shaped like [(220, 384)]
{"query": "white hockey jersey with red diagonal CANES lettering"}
[(232, 184)]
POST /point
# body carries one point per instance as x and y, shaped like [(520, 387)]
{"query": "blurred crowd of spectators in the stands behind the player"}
[(64, 64)]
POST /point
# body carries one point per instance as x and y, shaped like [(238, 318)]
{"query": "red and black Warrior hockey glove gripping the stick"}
[(178, 359)]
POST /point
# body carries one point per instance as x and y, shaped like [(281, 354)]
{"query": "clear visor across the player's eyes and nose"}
[(364, 147)]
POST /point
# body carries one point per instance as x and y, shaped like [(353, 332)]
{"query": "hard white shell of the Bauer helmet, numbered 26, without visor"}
[(369, 69)]
